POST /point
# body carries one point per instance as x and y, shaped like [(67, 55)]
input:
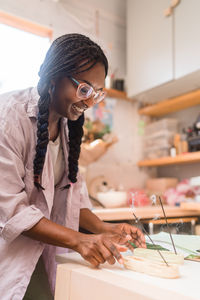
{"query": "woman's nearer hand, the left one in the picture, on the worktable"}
[(99, 248)]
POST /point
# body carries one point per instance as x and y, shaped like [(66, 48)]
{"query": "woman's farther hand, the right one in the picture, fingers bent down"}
[(137, 237)]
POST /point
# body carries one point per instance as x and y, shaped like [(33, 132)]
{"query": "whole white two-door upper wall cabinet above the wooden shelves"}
[(161, 49)]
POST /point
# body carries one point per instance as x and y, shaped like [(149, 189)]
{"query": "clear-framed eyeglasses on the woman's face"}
[(86, 91)]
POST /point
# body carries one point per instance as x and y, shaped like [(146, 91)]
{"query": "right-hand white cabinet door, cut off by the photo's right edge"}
[(187, 37)]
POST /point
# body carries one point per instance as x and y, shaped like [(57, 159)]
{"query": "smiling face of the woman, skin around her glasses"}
[(65, 102)]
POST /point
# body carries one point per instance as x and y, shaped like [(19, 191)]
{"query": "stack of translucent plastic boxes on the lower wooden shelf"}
[(159, 138)]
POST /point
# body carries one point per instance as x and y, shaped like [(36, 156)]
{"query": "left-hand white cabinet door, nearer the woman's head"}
[(149, 45)]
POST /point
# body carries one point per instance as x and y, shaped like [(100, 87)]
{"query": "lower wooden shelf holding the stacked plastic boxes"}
[(191, 157)]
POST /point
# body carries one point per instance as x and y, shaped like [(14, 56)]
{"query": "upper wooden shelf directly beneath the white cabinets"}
[(172, 105)]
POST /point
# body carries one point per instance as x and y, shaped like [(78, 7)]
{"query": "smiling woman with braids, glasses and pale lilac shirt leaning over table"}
[(43, 199)]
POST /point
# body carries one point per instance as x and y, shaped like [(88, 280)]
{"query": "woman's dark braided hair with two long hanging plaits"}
[(68, 54)]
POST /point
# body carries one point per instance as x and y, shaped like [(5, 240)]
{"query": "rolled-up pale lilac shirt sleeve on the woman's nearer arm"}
[(16, 214)]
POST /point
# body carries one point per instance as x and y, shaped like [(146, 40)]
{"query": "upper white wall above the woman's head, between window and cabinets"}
[(66, 16)]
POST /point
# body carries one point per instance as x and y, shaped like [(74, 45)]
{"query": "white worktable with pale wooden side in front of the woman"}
[(77, 280)]
